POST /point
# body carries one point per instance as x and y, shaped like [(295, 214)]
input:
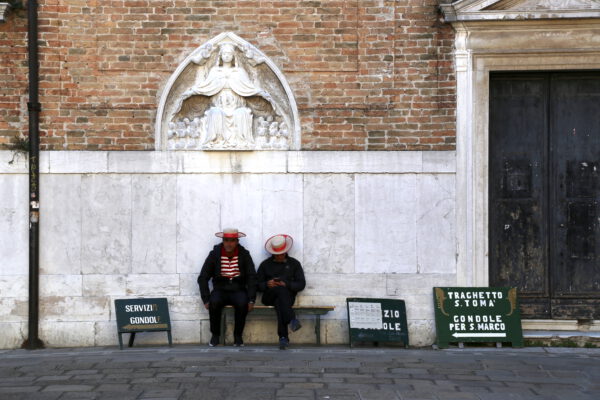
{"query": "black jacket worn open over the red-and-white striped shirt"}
[(212, 270)]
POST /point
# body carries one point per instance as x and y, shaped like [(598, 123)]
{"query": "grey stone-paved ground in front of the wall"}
[(262, 373)]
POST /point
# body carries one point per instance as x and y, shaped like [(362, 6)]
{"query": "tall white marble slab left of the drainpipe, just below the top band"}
[(14, 225)]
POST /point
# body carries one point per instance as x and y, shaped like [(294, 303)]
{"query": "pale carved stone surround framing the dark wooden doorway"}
[(506, 35)]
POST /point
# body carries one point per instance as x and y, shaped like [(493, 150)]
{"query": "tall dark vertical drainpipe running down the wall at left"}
[(34, 108)]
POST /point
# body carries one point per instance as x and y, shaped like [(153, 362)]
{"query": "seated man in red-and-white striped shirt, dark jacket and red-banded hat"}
[(231, 269)]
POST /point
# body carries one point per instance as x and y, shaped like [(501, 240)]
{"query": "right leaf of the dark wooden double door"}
[(575, 157)]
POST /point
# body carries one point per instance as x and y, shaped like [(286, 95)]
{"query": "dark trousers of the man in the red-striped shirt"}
[(221, 298)]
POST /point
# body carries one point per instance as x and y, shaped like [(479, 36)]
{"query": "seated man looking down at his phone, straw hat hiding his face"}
[(280, 278)]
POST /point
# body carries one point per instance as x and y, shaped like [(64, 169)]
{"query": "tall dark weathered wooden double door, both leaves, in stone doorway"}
[(543, 191)]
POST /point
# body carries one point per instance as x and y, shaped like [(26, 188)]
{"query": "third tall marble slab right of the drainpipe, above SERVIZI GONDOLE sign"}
[(154, 224)]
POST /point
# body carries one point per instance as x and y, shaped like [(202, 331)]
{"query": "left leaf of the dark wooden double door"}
[(518, 247)]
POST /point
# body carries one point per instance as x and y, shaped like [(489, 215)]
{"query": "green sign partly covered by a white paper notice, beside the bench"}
[(377, 320)]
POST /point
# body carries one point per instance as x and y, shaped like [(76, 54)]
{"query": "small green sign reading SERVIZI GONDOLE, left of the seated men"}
[(142, 315)]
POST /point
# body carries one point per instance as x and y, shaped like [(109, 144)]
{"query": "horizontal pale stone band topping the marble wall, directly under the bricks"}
[(182, 162)]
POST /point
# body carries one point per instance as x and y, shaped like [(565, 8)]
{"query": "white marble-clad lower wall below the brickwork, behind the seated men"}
[(364, 225)]
